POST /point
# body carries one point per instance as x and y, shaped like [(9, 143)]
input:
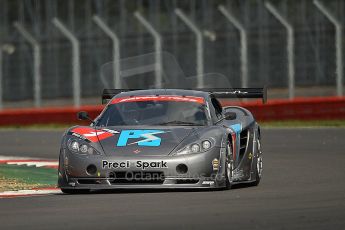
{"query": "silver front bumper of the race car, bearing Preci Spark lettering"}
[(200, 173)]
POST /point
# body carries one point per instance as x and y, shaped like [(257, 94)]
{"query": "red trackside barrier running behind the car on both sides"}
[(298, 109)]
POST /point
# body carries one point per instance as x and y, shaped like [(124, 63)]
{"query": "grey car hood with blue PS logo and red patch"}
[(134, 140)]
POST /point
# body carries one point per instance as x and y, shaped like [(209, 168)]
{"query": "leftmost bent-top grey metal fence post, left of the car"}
[(37, 62)]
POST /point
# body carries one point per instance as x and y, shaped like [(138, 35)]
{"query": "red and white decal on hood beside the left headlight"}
[(91, 134)]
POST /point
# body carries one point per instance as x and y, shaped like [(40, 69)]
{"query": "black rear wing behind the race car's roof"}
[(223, 93)]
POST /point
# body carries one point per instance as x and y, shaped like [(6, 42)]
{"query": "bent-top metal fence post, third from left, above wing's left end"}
[(116, 49)]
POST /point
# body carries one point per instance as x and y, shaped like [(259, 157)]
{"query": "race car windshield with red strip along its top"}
[(155, 110)]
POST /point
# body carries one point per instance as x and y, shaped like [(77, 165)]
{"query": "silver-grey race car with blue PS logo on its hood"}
[(163, 138)]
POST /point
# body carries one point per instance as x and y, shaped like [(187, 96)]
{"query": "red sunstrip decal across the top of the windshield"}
[(159, 98)]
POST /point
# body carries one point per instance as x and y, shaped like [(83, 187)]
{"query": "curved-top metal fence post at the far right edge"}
[(338, 44)]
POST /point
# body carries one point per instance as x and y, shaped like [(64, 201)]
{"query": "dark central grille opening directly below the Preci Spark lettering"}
[(136, 177)]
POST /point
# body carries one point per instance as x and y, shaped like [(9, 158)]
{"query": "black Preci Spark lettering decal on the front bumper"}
[(137, 164)]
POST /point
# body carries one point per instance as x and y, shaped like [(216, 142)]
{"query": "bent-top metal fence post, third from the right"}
[(244, 43)]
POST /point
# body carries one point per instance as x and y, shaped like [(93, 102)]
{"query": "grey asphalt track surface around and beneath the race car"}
[(303, 187)]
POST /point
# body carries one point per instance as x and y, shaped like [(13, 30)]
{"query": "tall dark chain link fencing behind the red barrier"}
[(315, 58)]
